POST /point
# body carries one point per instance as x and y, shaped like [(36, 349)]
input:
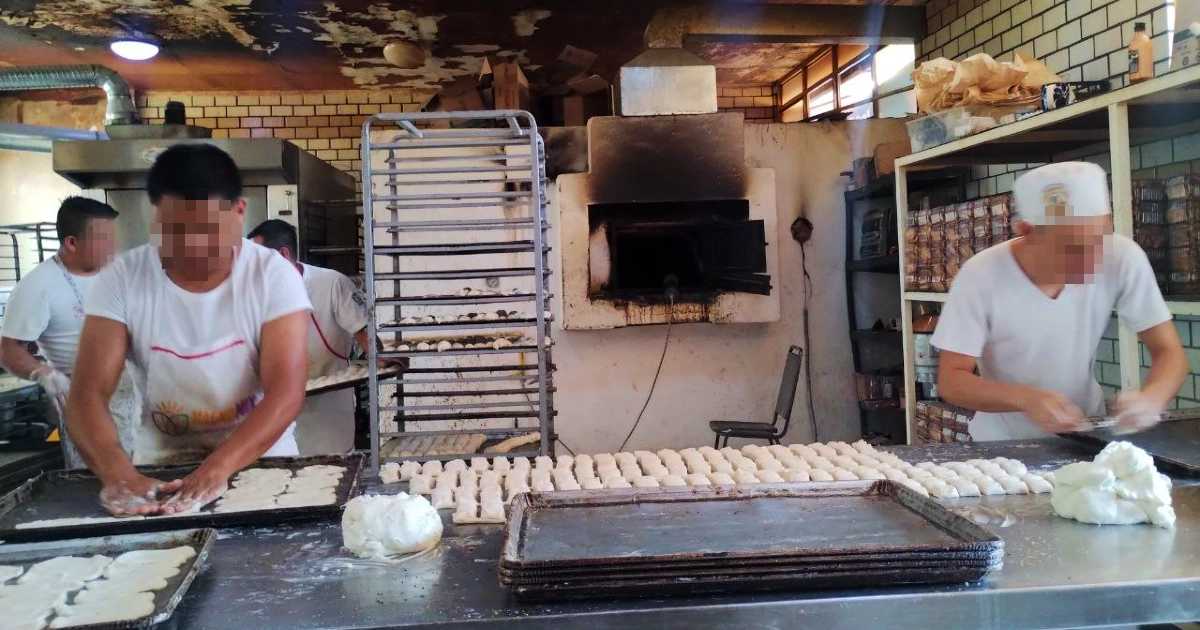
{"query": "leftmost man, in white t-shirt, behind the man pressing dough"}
[(47, 308)]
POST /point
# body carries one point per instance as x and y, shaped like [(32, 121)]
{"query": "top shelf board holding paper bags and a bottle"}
[(1154, 107)]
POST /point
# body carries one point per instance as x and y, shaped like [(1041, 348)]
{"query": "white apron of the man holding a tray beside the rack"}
[(327, 424)]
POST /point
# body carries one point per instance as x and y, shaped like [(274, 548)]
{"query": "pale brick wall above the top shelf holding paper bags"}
[(1081, 40)]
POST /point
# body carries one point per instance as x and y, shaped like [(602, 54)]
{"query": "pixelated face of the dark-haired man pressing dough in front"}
[(197, 236)]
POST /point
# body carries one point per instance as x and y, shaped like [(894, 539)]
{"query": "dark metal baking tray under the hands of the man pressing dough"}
[(75, 494)]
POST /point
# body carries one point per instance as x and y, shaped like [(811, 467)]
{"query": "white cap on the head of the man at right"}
[(1049, 195)]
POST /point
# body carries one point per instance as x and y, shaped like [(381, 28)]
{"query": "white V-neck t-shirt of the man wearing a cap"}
[(997, 315)]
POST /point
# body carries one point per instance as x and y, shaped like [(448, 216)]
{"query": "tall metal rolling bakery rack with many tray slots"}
[(457, 281)]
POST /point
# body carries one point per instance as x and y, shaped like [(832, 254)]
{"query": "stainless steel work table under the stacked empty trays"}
[(1058, 574)]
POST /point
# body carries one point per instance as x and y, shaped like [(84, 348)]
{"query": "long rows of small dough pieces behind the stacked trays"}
[(707, 466)]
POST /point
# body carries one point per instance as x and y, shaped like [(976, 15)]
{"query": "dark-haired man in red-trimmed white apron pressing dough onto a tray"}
[(217, 326)]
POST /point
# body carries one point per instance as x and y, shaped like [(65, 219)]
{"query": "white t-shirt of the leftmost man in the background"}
[(45, 309)]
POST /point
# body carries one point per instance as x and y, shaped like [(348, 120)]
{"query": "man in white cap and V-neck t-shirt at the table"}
[(1030, 313)]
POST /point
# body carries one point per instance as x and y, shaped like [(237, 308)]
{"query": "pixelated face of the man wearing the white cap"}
[(1071, 254)]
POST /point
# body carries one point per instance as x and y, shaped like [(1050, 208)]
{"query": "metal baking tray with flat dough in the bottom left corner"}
[(166, 601)]
